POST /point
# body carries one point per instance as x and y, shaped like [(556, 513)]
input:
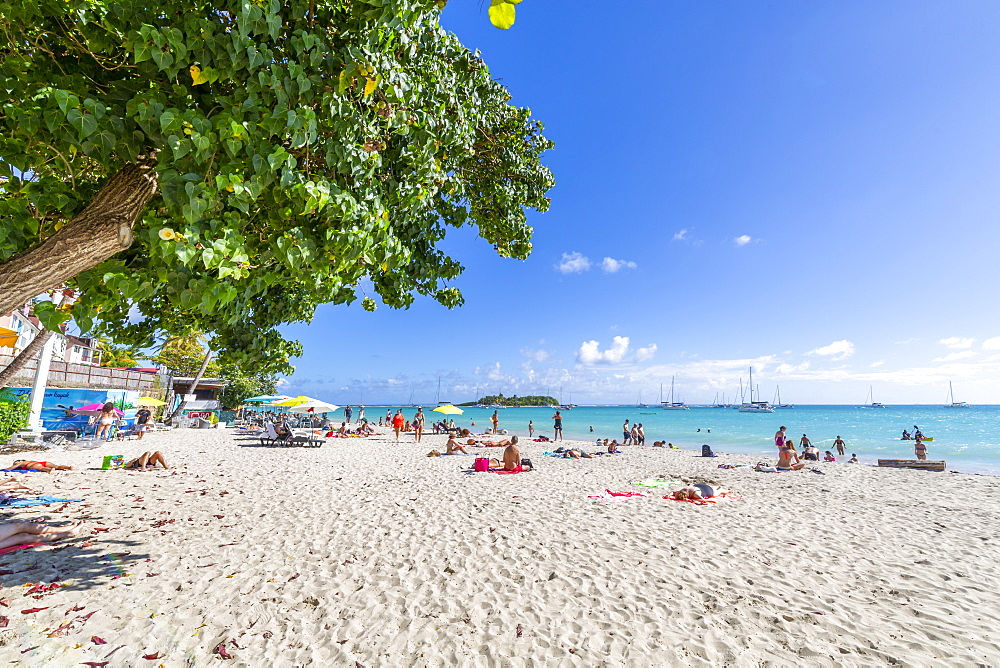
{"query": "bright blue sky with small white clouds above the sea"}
[(810, 188)]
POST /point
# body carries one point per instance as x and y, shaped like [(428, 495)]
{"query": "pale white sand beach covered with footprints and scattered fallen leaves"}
[(365, 552)]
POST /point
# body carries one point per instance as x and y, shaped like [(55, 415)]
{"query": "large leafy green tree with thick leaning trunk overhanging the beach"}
[(229, 167)]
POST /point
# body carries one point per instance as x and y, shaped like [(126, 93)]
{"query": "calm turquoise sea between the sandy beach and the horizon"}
[(967, 438)]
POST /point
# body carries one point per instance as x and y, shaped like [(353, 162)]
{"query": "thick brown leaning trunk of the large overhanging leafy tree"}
[(102, 229)]
